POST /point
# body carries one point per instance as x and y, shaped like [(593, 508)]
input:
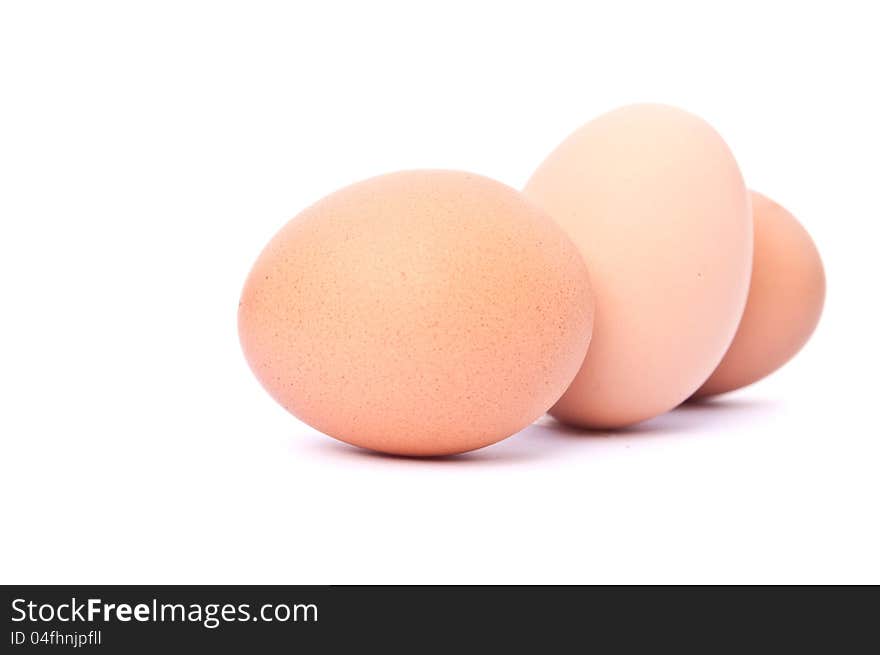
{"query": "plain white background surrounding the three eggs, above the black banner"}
[(149, 150)]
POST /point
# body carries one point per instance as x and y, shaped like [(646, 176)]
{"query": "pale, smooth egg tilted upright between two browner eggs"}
[(655, 201)]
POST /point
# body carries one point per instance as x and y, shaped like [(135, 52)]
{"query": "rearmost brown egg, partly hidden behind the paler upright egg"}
[(785, 300)]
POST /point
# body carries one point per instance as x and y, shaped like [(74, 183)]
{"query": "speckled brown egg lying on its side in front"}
[(418, 313)]
